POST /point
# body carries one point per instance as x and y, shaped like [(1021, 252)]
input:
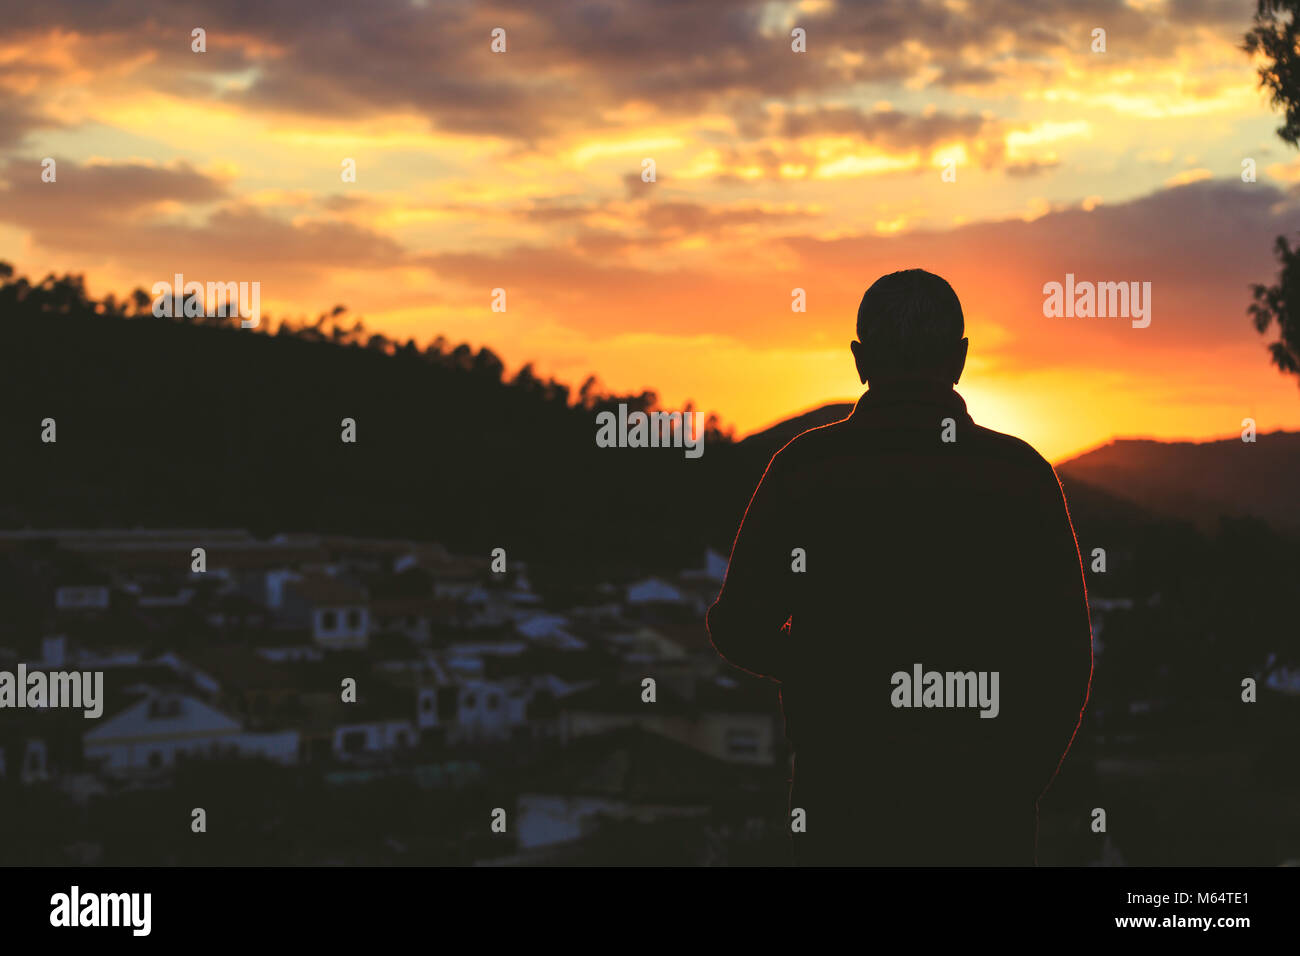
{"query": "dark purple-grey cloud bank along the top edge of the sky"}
[(571, 62)]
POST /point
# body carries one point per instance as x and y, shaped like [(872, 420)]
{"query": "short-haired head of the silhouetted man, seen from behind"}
[(911, 326)]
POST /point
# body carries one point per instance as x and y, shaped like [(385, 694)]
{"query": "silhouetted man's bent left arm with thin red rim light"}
[(747, 624)]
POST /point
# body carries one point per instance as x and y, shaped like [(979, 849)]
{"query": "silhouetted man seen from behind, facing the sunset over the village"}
[(915, 585)]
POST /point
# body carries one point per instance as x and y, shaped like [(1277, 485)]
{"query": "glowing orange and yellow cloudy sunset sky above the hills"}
[(774, 171)]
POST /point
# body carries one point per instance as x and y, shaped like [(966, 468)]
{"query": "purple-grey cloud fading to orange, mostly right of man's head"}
[(1201, 246)]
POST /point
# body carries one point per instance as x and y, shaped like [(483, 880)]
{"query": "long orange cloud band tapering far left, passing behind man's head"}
[(1201, 246)]
